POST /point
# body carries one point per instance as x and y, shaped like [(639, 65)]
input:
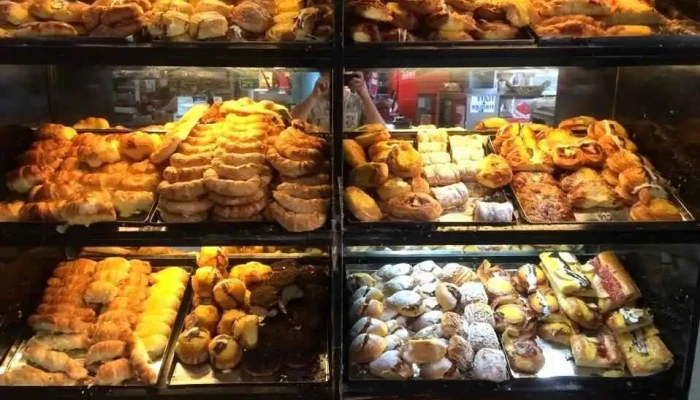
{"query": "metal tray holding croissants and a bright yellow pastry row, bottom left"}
[(15, 357)]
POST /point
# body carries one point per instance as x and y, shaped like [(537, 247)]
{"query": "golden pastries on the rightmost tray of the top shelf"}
[(603, 18)]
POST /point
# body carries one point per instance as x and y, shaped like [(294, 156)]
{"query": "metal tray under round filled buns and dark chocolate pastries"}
[(317, 371)]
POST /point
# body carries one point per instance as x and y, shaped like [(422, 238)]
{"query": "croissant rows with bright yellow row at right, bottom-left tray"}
[(109, 313)]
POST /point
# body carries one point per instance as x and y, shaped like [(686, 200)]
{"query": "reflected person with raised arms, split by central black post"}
[(358, 107)]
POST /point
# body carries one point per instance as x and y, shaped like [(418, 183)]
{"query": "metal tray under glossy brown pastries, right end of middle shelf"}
[(606, 216)]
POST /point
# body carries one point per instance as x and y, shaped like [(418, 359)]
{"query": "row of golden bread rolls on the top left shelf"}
[(175, 20)]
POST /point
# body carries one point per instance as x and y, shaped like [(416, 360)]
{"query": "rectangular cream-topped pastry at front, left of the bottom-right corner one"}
[(596, 352)]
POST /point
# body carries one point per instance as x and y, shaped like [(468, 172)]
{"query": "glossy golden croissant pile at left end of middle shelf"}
[(83, 178)]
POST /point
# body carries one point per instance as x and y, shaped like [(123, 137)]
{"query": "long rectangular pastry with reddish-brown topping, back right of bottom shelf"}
[(612, 284)]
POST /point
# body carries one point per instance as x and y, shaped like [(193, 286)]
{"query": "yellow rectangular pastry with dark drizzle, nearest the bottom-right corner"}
[(644, 352)]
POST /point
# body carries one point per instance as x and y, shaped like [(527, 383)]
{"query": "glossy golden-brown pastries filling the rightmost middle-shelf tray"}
[(599, 171)]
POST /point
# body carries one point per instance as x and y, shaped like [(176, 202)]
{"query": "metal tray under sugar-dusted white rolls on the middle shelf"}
[(460, 217)]
